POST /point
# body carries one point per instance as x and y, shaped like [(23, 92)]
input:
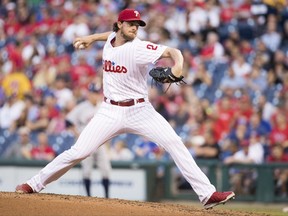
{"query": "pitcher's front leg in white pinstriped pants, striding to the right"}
[(154, 127)]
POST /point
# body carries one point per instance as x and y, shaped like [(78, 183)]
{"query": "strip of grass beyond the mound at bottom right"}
[(271, 209)]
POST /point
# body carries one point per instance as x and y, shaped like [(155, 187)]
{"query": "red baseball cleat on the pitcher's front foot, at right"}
[(218, 198)]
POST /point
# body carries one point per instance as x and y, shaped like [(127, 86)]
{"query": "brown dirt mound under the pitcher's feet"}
[(52, 204)]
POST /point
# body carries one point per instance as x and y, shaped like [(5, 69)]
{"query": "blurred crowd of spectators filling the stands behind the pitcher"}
[(234, 107)]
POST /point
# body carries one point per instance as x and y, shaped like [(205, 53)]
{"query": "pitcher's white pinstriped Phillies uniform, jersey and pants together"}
[(125, 77)]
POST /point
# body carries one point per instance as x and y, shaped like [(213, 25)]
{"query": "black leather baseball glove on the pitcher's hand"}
[(164, 75)]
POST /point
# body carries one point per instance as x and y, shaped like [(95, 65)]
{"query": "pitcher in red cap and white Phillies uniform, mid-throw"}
[(126, 108)]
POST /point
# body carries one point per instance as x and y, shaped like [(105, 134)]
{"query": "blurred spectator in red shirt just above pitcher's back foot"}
[(43, 151)]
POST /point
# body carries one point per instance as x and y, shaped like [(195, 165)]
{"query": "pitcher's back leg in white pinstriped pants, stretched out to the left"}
[(101, 128)]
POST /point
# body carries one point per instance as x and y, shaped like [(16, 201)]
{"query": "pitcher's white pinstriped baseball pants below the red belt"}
[(110, 121)]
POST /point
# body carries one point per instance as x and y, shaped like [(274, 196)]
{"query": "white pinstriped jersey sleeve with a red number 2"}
[(147, 52)]
